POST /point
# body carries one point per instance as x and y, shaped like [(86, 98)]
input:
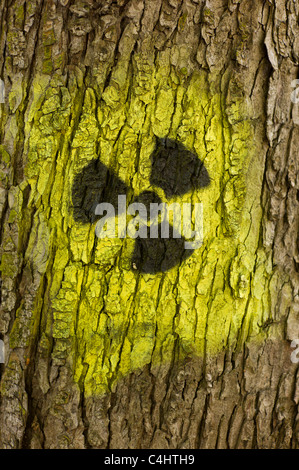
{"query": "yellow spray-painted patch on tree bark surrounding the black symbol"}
[(106, 318)]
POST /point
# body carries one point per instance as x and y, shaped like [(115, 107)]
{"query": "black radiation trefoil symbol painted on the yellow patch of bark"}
[(174, 169)]
